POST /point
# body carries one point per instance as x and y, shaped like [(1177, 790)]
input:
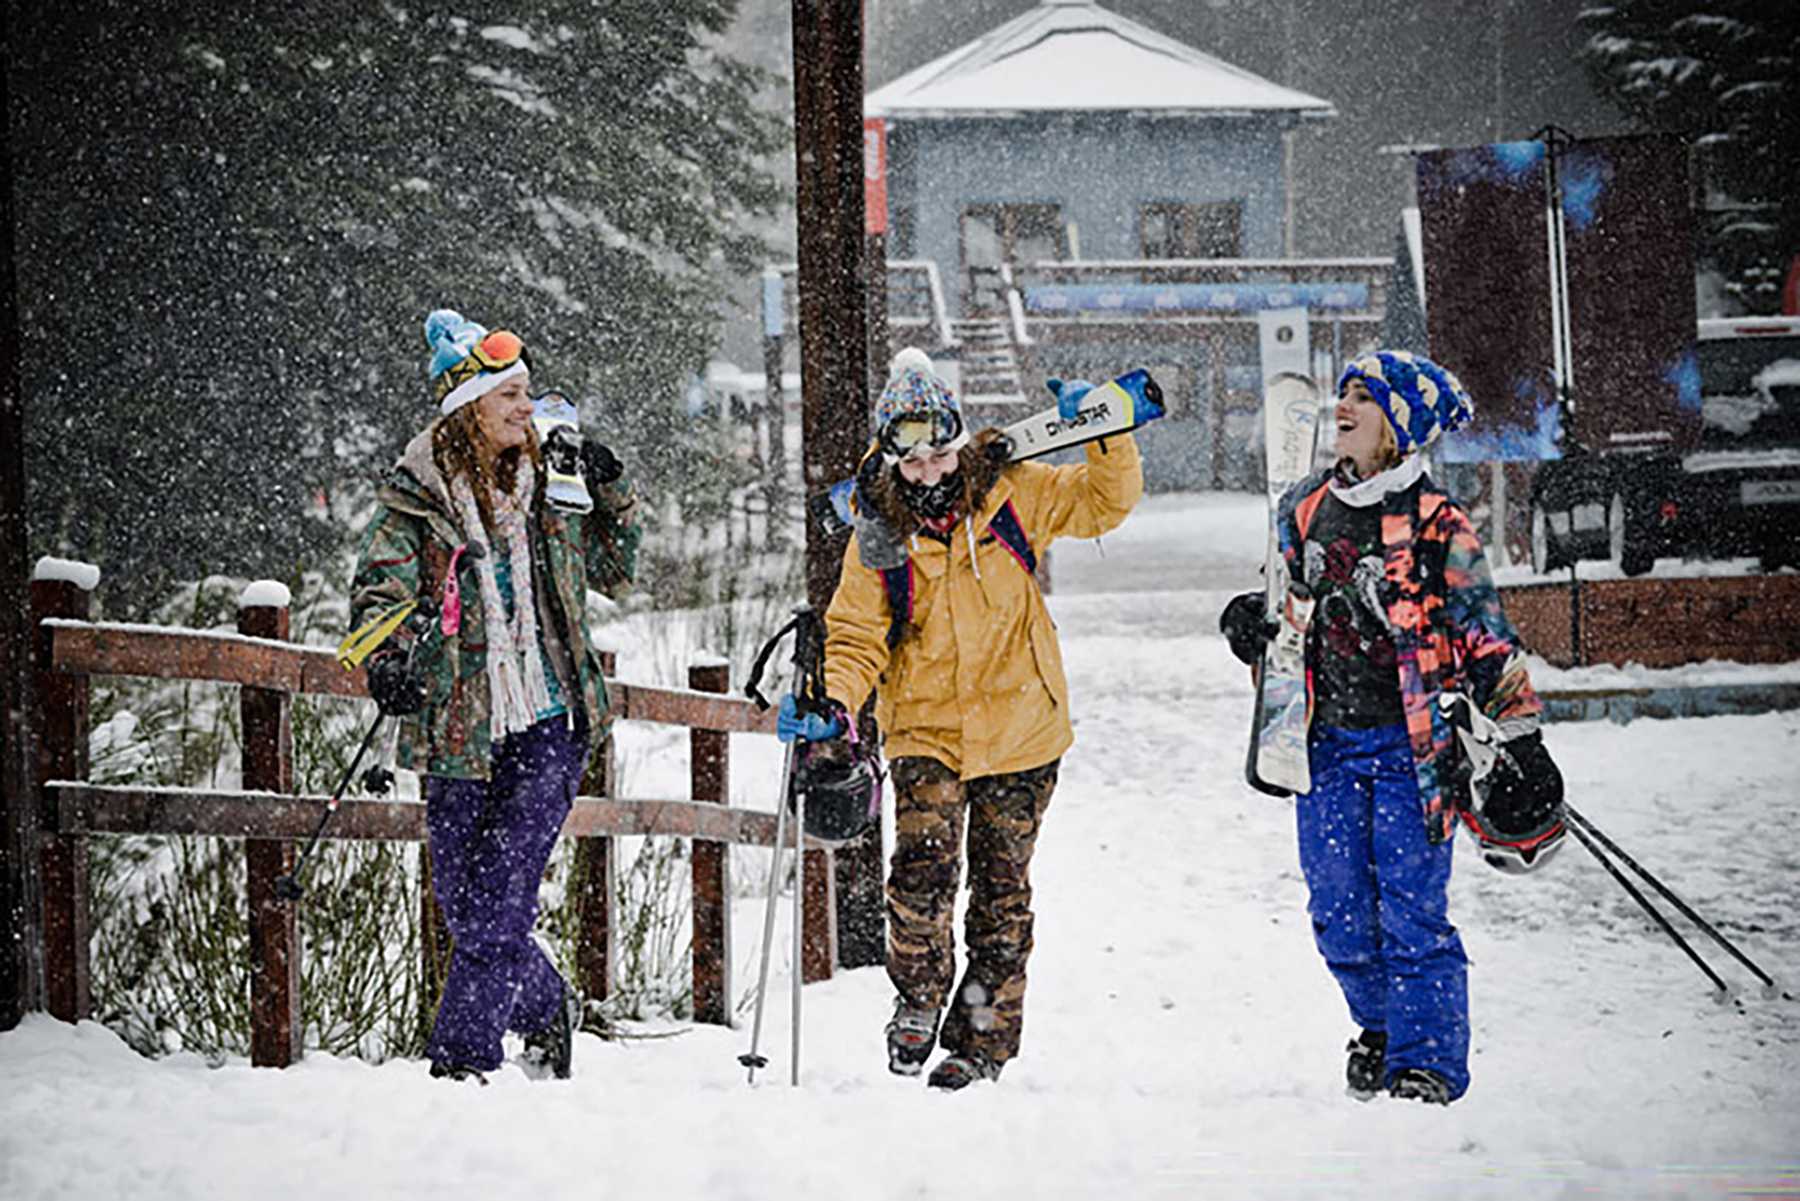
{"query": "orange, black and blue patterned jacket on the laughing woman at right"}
[(1450, 633)]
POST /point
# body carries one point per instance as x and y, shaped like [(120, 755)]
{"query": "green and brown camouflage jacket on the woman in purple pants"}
[(406, 552)]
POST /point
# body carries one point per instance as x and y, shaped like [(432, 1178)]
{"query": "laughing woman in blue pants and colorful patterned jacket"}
[(1405, 611)]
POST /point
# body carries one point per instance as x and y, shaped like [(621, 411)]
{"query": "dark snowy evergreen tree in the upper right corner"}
[(1727, 77)]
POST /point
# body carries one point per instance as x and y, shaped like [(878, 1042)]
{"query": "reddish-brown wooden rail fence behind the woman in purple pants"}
[(273, 820)]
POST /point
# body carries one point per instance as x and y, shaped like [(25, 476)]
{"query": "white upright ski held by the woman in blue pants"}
[(1277, 761)]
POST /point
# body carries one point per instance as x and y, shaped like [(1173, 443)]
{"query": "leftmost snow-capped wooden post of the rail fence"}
[(62, 755)]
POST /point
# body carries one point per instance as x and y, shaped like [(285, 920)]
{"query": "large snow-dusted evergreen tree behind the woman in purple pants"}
[(233, 221)]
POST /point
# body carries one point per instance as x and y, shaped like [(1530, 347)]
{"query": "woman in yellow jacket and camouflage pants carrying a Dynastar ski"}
[(940, 615)]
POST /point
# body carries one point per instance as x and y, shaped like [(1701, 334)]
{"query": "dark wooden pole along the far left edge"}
[(21, 988)]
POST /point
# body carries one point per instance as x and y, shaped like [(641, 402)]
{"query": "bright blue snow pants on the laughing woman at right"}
[(1378, 899)]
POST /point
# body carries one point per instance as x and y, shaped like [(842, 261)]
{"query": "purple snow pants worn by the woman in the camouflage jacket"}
[(490, 842)]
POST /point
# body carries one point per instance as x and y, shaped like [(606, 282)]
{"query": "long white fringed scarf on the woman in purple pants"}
[(517, 689)]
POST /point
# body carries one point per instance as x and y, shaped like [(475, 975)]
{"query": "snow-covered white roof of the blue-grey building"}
[(1029, 64)]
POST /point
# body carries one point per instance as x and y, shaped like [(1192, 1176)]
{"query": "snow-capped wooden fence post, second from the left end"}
[(274, 923)]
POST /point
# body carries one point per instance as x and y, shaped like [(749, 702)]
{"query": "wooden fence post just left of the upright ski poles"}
[(710, 770)]
